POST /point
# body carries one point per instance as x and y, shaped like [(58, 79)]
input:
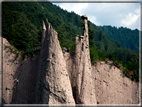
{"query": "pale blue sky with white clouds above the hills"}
[(114, 14)]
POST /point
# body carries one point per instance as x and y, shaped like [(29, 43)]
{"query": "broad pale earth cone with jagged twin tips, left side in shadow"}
[(54, 83)]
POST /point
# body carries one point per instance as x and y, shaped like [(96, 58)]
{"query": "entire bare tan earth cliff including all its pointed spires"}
[(54, 77)]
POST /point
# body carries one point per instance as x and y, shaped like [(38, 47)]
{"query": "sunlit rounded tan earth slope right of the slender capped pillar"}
[(112, 87)]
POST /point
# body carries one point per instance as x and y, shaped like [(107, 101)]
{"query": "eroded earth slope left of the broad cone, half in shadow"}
[(19, 77)]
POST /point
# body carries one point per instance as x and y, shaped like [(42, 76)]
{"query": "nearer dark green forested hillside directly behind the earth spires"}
[(22, 27)]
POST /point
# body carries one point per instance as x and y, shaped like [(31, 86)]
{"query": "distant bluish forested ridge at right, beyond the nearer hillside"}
[(126, 37)]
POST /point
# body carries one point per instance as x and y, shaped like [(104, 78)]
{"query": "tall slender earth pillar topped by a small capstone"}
[(85, 90)]
